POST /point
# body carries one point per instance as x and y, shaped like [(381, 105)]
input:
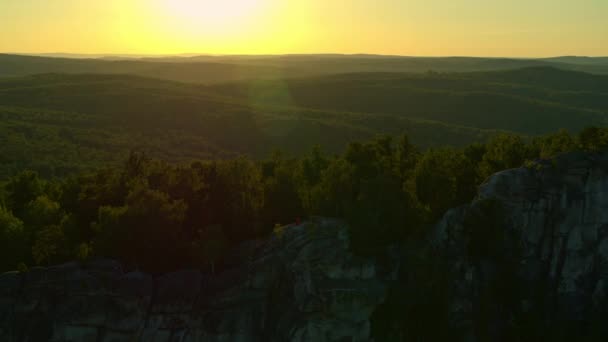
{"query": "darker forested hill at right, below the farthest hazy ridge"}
[(529, 101)]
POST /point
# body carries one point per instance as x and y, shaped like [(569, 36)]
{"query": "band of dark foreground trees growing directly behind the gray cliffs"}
[(160, 216)]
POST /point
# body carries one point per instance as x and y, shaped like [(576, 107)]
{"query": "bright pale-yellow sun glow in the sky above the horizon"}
[(219, 26)]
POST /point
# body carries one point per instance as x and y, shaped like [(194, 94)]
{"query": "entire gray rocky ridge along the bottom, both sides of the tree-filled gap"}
[(528, 257)]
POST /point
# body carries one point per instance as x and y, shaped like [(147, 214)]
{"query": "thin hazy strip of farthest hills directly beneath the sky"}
[(211, 69)]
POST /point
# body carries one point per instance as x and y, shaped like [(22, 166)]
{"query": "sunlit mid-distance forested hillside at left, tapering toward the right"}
[(59, 124)]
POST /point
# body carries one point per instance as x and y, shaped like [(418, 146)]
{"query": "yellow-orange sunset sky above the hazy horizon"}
[(507, 28)]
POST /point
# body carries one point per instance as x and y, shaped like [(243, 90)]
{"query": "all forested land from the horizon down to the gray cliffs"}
[(165, 175)]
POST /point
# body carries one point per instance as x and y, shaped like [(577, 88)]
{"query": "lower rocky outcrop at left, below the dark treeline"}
[(300, 285)]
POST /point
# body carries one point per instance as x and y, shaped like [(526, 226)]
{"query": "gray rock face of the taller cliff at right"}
[(556, 218)]
